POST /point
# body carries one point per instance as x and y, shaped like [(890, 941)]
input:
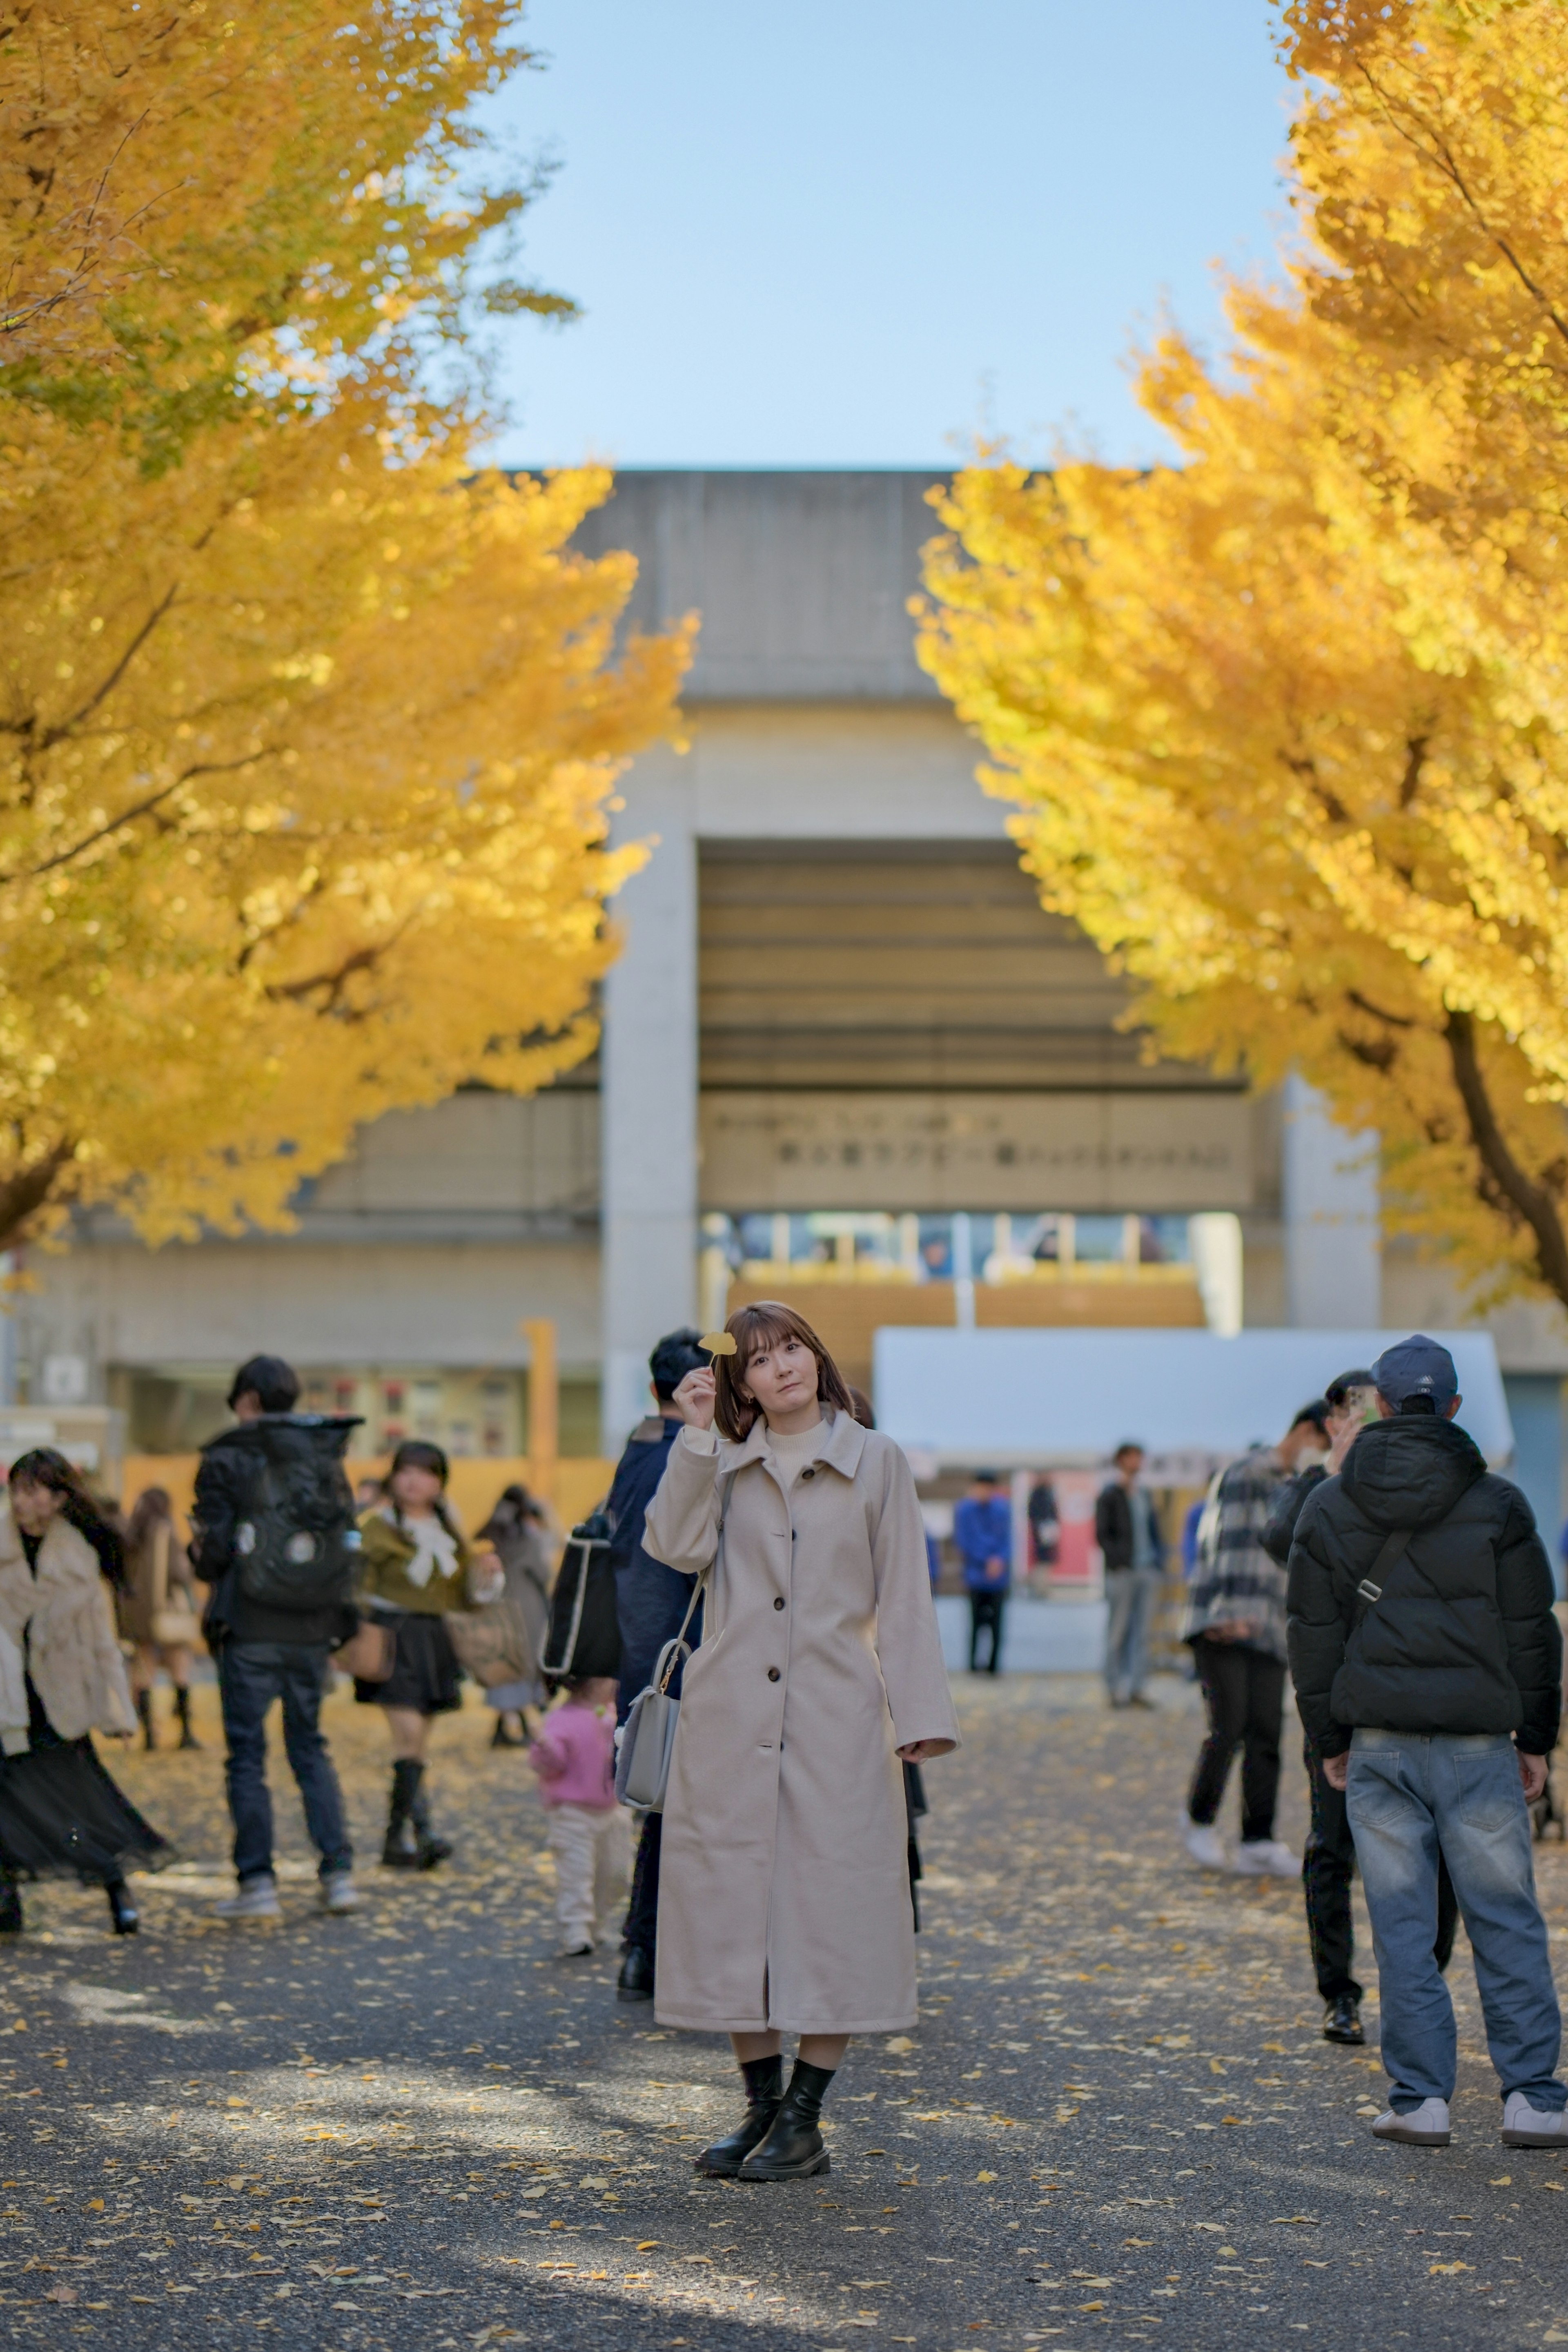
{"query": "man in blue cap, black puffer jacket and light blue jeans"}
[(1428, 1669)]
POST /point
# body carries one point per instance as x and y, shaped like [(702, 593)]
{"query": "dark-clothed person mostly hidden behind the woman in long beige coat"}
[(650, 1603)]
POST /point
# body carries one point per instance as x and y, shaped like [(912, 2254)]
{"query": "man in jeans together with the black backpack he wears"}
[(276, 1542)]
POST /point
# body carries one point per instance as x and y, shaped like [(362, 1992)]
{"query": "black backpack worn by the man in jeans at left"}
[(297, 1544)]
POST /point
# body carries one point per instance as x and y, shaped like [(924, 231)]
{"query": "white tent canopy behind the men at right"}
[(1057, 1398)]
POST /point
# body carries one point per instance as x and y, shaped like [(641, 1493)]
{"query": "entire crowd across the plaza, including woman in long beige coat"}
[(756, 1603)]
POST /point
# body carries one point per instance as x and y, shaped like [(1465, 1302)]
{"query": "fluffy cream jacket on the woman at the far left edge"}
[(58, 1622)]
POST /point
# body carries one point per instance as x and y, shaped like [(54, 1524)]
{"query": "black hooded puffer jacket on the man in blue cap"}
[(1463, 1638)]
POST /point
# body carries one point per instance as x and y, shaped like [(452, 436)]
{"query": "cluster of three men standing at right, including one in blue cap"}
[(1376, 1563)]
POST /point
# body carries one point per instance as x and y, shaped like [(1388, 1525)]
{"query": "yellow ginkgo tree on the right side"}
[(1287, 721)]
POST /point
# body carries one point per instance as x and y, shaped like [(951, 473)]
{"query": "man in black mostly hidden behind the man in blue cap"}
[(1329, 1857)]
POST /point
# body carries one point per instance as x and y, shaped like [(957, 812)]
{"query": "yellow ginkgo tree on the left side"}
[(309, 730)]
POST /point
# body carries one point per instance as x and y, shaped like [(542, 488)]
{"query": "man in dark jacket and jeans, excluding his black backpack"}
[(264, 1655)]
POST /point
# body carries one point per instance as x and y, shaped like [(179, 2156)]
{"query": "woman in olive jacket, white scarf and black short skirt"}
[(417, 1568)]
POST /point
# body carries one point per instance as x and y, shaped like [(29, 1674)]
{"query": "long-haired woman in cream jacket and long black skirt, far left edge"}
[(62, 1678)]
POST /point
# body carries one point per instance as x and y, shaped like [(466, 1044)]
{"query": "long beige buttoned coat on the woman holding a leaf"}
[(784, 1890)]
